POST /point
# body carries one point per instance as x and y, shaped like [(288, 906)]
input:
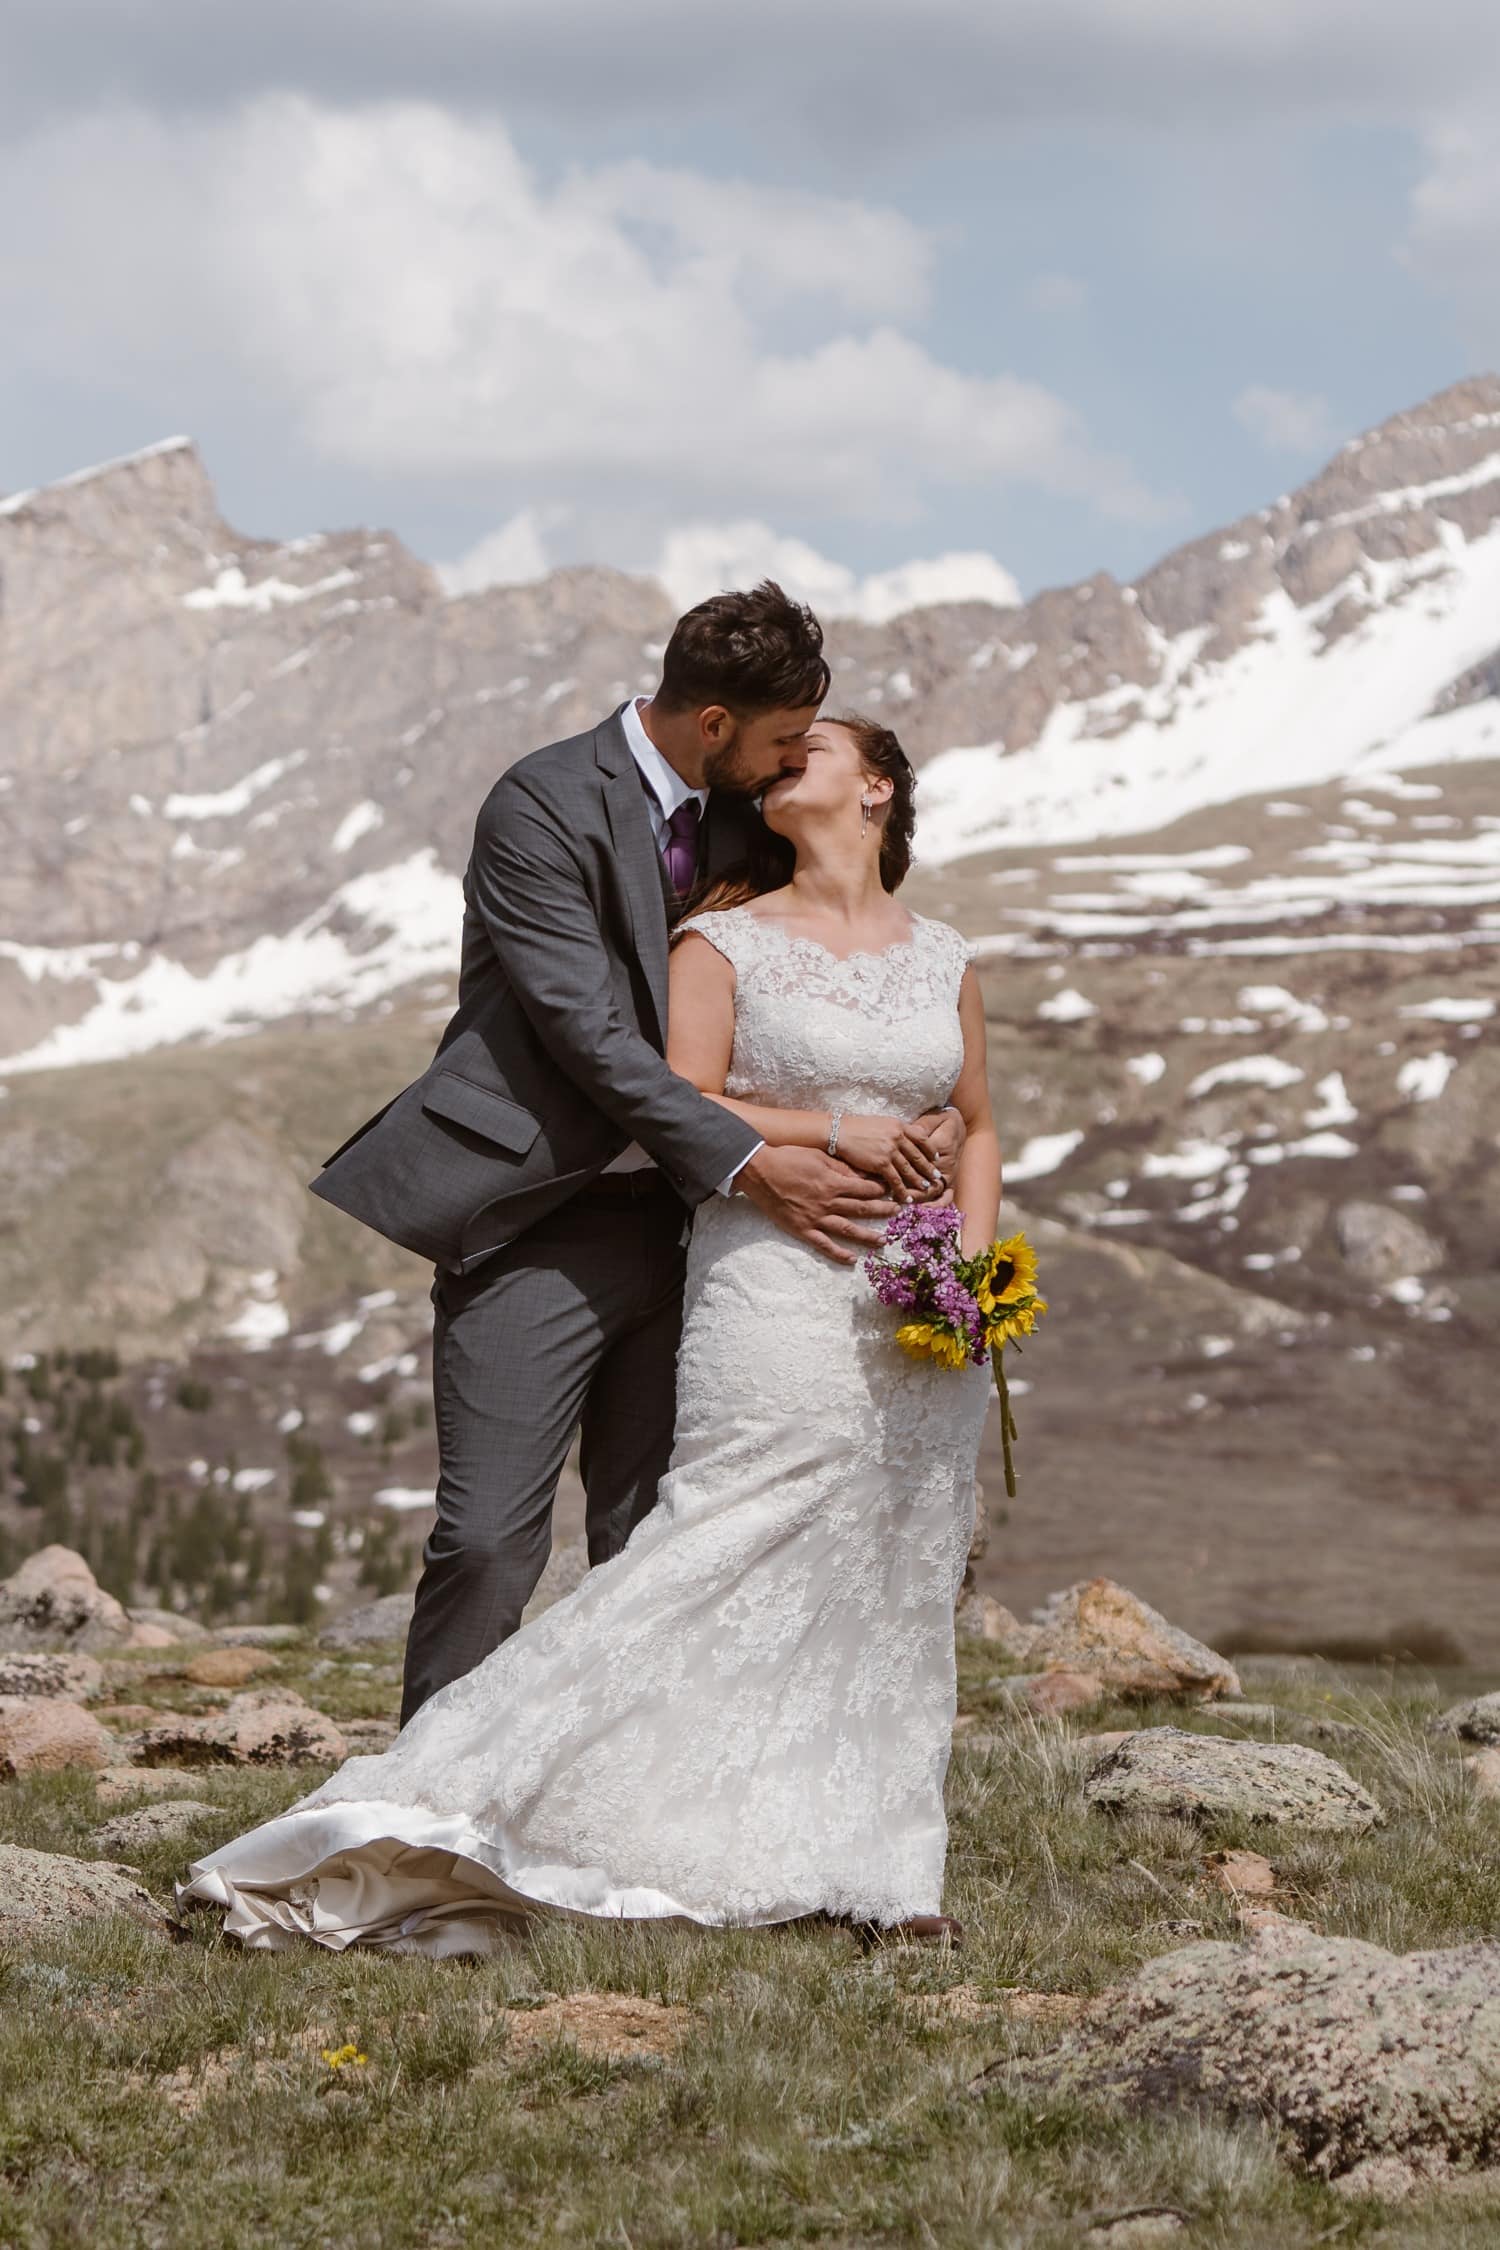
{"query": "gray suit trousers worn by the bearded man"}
[(572, 1326)]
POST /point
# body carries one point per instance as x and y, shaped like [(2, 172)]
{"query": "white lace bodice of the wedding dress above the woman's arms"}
[(874, 1032)]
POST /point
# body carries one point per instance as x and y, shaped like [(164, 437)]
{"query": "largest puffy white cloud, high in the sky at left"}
[(408, 289)]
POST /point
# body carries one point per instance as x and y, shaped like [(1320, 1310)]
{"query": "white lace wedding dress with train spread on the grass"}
[(748, 1713)]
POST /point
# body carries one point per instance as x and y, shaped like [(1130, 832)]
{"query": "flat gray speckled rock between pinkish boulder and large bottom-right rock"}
[(1166, 1770)]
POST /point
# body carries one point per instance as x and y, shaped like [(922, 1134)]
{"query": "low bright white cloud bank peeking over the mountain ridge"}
[(703, 559)]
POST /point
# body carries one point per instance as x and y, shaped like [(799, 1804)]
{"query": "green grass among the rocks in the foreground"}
[(174, 2094)]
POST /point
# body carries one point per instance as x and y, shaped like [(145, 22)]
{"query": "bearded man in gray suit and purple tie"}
[(548, 1155)]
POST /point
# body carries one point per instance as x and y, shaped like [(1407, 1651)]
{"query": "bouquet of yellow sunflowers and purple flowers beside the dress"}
[(959, 1311)]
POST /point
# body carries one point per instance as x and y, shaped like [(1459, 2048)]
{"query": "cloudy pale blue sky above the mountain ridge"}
[(674, 287)]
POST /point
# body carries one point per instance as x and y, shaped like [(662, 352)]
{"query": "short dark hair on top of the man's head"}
[(752, 654)]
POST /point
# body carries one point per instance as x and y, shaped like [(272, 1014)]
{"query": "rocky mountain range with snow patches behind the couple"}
[(240, 777)]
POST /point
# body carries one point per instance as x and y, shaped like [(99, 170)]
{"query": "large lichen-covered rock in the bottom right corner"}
[(1357, 2055)]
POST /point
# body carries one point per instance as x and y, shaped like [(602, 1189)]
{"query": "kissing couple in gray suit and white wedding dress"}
[(701, 1056)]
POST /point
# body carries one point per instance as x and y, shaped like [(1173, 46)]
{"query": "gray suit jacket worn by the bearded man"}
[(552, 1061)]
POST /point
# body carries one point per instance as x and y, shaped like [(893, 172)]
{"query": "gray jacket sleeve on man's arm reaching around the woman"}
[(543, 924)]
